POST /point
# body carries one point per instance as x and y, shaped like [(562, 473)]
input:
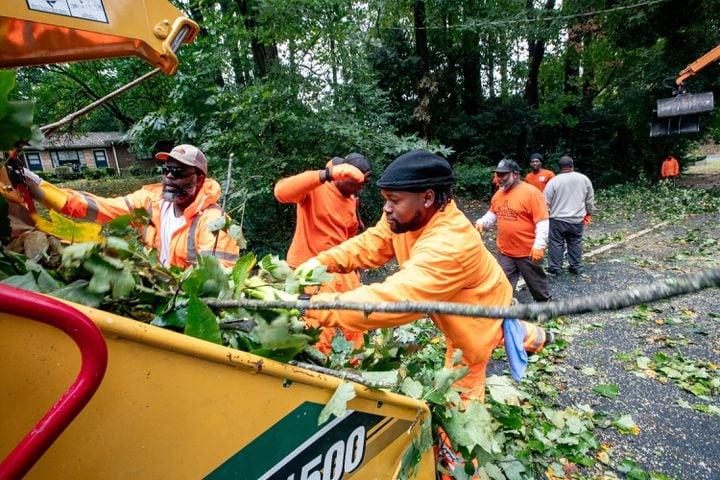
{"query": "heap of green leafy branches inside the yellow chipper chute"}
[(122, 276)]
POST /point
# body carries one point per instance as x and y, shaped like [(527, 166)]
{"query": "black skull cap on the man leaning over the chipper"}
[(416, 171)]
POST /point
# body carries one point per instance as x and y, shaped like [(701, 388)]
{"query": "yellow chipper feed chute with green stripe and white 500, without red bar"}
[(172, 406)]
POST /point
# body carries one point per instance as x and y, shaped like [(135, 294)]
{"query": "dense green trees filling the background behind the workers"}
[(285, 84)]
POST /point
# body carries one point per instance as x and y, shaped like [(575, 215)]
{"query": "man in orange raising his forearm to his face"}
[(326, 217)]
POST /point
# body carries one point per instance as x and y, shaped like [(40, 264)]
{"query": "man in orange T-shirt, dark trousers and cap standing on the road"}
[(522, 218)]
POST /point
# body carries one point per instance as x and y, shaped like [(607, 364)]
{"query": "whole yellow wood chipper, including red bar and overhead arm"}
[(91, 395)]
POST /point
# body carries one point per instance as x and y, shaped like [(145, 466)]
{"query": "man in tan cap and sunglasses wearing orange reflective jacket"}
[(180, 209)]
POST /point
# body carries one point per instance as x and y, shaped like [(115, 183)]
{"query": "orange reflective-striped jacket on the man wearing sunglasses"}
[(189, 241)]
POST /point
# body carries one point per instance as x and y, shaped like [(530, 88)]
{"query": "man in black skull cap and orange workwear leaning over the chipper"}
[(441, 258)]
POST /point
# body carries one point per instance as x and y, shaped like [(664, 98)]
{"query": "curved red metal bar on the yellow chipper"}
[(93, 351)]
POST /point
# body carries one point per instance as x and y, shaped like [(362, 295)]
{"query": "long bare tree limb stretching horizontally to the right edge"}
[(662, 289)]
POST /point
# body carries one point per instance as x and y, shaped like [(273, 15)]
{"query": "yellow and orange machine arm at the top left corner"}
[(38, 32)]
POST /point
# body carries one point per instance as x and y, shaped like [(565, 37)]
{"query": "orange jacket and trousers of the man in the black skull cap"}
[(445, 261)]
